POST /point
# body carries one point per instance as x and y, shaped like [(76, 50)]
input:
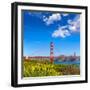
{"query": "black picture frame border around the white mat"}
[(14, 43)]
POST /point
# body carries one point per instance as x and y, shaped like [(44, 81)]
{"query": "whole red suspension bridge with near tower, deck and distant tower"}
[(51, 57)]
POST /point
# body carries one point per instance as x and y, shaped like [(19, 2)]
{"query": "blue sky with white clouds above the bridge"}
[(42, 27)]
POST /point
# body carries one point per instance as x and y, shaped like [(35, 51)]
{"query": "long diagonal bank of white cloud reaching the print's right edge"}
[(64, 31)]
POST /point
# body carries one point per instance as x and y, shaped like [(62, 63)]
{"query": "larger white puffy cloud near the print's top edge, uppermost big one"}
[(54, 17)]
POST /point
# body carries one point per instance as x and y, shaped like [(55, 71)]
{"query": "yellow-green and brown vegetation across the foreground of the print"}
[(39, 68)]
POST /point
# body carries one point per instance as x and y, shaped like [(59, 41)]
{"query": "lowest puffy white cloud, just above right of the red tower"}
[(61, 33)]
